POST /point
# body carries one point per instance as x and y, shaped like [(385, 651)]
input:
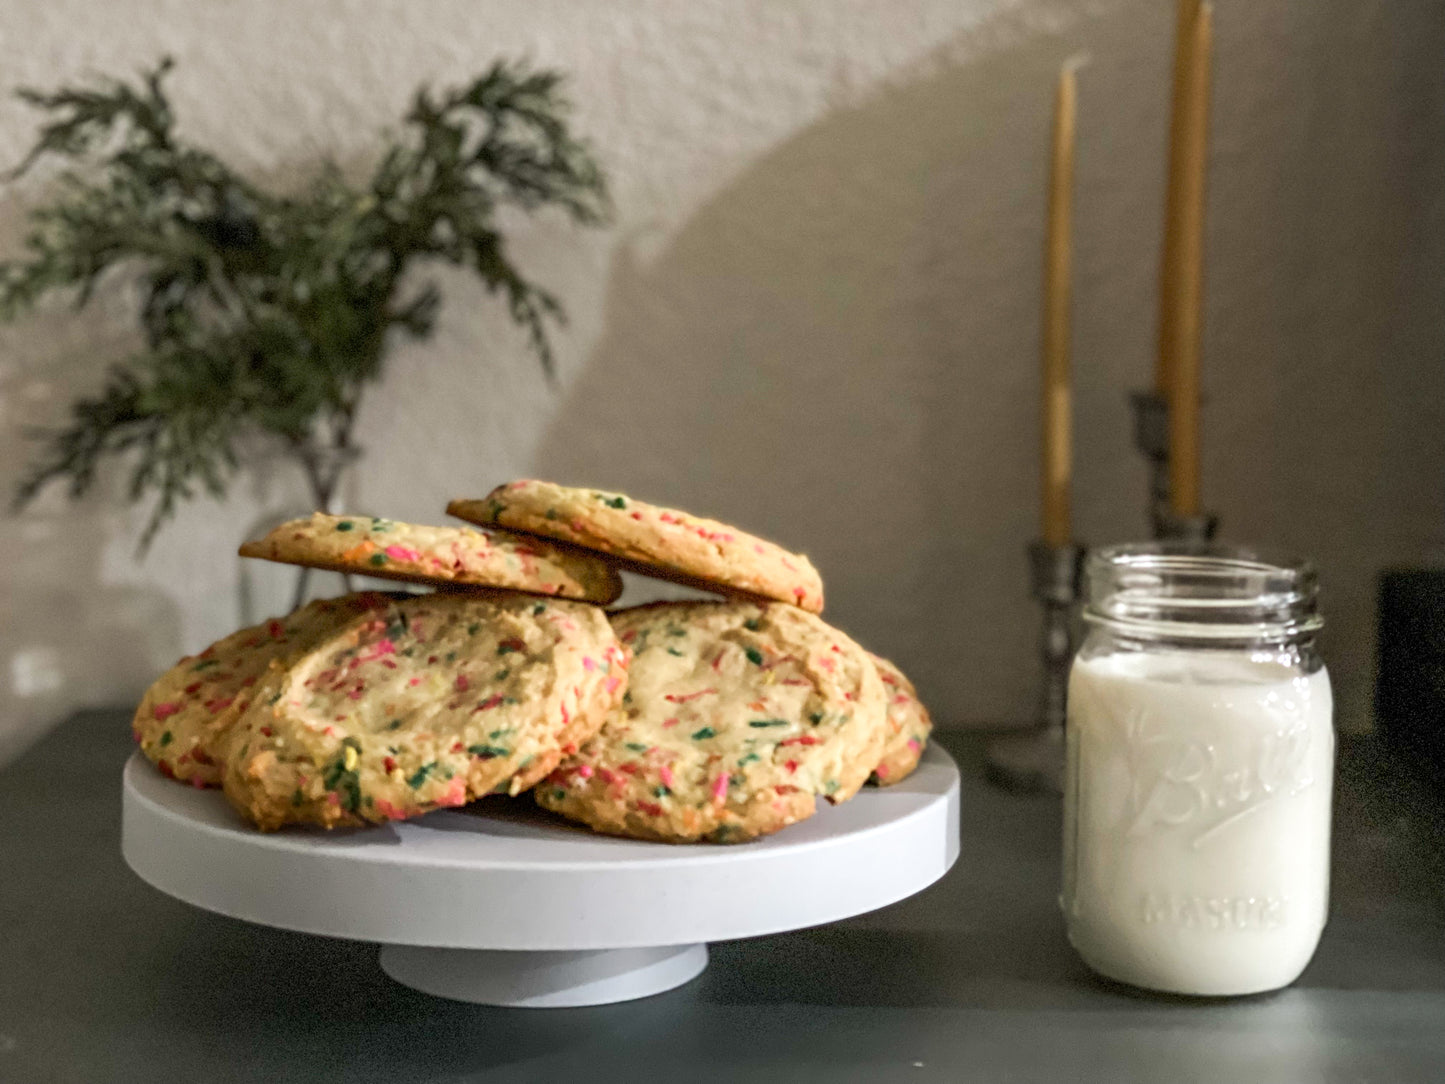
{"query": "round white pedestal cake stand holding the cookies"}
[(501, 904)]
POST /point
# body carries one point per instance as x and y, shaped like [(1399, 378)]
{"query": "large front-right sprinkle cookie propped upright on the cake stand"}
[(739, 718)]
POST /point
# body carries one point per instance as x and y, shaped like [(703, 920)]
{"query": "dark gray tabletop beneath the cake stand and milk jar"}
[(105, 979)]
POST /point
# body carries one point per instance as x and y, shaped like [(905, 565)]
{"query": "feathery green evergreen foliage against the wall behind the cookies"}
[(272, 313)]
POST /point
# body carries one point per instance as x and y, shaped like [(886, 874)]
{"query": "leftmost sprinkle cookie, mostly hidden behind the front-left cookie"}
[(187, 712)]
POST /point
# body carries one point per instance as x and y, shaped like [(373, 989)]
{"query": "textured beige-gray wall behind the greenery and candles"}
[(819, 311)]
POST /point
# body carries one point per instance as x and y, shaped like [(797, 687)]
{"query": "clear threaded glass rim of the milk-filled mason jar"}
[(1202, 593)]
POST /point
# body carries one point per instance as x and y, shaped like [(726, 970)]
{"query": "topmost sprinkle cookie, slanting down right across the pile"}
[(651, 540)]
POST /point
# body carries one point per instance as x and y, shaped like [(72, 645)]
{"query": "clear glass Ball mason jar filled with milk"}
[(1199, 771)]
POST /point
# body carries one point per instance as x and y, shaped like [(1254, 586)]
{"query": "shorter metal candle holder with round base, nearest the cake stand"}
[(1035, 761)]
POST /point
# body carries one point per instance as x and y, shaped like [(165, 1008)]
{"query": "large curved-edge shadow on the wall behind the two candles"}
[(839, 350)]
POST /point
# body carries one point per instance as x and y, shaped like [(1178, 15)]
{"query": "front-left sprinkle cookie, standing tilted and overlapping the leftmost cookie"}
[(437, 702)]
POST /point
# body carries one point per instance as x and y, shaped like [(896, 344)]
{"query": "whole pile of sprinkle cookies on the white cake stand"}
[(676, 722)]
